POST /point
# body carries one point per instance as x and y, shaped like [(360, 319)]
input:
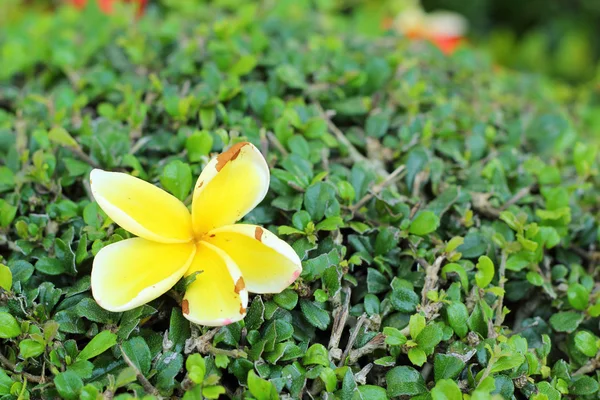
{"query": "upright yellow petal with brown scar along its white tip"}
[(229, 187)]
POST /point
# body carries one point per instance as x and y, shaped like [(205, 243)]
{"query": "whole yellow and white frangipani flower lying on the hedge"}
[(232, 259)]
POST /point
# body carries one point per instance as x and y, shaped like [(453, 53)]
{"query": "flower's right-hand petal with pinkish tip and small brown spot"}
[(267, 263)]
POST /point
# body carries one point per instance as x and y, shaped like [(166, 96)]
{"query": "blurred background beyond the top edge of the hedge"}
[(559, 38)]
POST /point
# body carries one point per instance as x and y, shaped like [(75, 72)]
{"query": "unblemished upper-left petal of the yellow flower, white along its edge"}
[(141, 208)]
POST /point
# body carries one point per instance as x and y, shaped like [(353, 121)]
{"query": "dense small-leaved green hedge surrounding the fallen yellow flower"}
[(446, 212)]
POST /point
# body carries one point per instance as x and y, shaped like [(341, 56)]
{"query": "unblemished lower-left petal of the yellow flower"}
[(135, 271)]
